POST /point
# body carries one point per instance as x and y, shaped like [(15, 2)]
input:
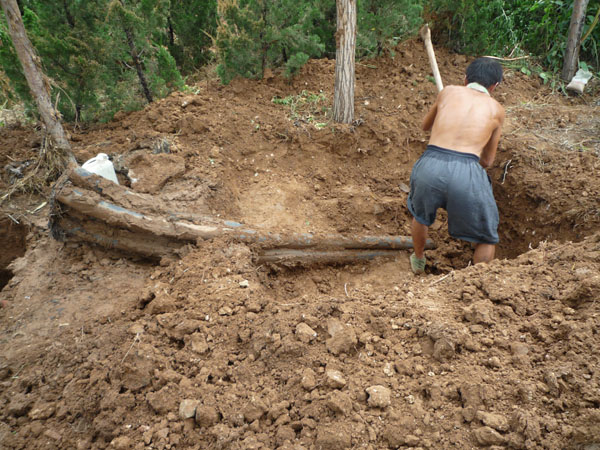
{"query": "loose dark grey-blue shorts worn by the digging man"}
[(456, 182)]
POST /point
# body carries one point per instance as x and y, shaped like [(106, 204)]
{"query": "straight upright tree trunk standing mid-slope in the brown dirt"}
[(345, 37)]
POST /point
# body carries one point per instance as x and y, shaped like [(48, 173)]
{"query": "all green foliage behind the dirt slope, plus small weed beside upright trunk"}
[(85, 46)]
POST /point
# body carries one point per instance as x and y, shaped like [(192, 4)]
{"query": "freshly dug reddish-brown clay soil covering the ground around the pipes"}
[(101, 349)]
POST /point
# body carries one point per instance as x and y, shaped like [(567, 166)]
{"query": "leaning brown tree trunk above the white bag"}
[(35, 78)]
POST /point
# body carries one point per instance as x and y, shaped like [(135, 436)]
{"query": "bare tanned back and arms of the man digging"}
[(466, 120)]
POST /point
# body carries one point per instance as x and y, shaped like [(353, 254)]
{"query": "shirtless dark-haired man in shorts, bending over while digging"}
[(465, 124)]
